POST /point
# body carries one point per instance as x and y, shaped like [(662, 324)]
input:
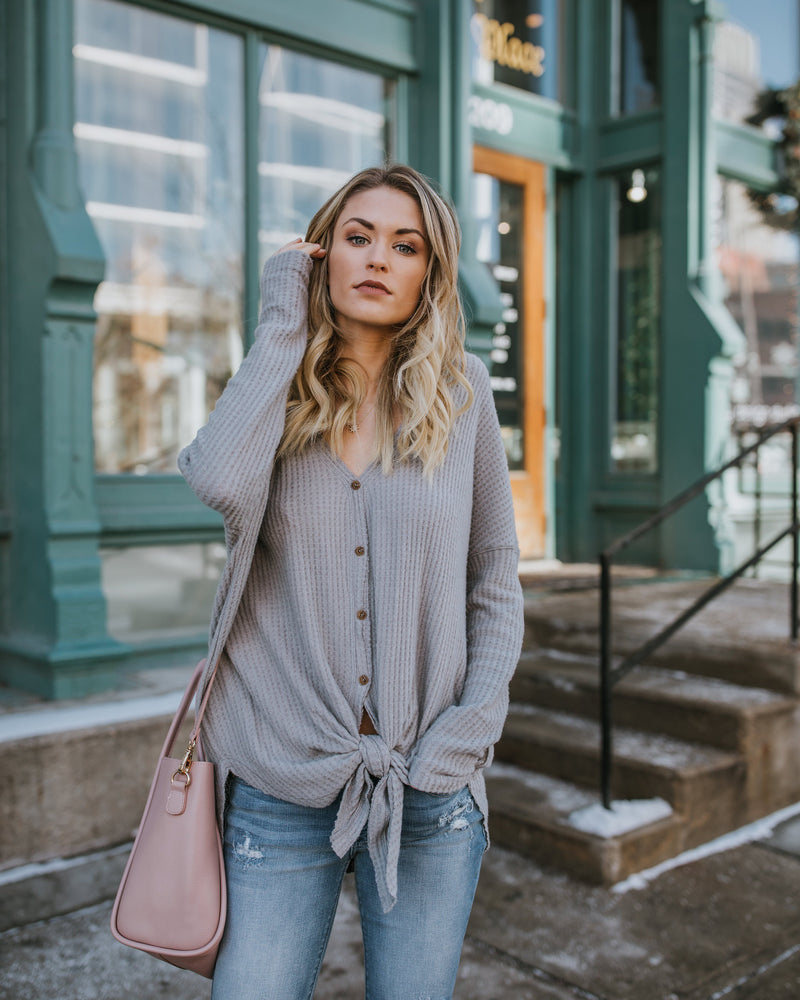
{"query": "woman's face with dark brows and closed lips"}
[(377, 262)]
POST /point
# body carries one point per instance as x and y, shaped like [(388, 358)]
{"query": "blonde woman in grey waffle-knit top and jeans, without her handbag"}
[(370, 613)]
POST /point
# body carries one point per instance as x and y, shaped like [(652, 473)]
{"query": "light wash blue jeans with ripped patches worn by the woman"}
[(284, 881)]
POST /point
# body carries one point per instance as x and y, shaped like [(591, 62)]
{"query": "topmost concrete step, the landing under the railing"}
[(741, 637)]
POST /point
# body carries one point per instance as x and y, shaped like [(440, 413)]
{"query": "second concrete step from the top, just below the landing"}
[(687, 706)]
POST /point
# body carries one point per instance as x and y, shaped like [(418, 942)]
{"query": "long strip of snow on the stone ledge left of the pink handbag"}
[(23, 725)]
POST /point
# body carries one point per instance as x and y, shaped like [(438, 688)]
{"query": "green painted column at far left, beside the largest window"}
[(56, 642)]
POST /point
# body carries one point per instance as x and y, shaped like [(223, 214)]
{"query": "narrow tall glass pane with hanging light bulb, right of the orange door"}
[(634, 445)]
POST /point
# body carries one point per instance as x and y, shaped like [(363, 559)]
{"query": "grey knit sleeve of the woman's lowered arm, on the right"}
[(460, 740)]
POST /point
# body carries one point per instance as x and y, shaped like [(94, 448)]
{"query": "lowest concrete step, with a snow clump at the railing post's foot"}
[(541, 817)]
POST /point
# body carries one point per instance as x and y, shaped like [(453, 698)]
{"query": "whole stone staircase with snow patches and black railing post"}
[(711, 727)]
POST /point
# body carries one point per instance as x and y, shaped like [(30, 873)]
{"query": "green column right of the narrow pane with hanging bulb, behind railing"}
[(698, 337)]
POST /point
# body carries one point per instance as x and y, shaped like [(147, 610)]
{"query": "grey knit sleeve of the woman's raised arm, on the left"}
[(229, 463)]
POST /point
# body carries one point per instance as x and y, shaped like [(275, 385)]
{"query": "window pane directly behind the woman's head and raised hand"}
[(320, 122)]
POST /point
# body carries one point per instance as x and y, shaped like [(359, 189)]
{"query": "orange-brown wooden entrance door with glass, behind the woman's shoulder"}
[(509, 204)]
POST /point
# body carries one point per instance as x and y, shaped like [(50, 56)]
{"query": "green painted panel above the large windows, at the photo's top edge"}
[(343, 25)]
